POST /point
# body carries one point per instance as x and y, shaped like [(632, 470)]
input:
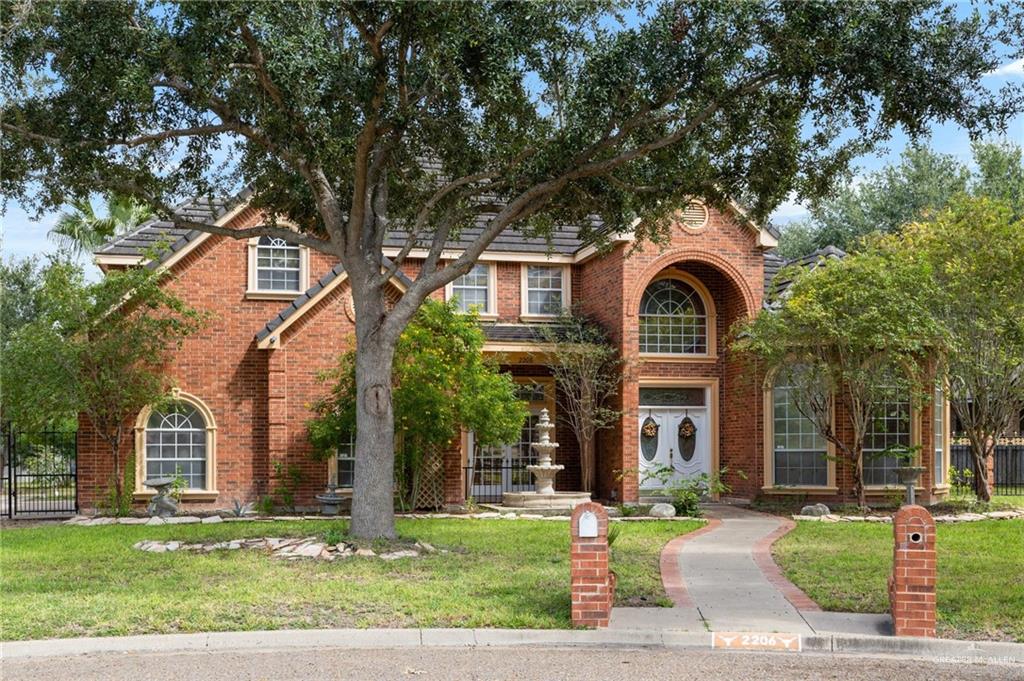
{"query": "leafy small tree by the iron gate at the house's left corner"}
[(99, 350)]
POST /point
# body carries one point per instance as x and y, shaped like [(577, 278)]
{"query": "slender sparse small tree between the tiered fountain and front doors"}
[(588, 373)]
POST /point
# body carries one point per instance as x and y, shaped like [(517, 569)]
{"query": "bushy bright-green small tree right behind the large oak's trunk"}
[(442, 384)]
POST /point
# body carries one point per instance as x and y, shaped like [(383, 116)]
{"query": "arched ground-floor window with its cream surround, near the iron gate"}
[(178, 439)]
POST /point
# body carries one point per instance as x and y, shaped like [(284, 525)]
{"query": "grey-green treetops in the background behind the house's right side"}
[(923, 183)]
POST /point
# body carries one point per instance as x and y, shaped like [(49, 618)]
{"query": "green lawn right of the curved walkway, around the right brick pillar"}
[(845, 567)]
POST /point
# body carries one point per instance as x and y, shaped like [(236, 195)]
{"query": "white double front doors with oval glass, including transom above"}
[(675, 435)]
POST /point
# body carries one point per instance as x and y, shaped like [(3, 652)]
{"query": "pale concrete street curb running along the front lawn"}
[(936, 650)]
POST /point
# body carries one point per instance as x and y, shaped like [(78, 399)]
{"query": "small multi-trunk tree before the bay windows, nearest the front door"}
[(855, 333)]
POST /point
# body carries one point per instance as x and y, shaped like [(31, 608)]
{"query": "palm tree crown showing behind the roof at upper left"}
[(81, 231)]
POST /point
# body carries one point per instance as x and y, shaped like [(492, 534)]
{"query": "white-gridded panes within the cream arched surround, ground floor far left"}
[(177, 444)]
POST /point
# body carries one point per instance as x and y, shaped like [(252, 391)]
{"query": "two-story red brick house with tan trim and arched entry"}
[(282, 314)]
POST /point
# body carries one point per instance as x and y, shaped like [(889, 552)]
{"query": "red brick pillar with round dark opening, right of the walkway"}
[(912, 585)]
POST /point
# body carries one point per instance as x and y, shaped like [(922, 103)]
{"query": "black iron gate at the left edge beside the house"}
[(40, 475)]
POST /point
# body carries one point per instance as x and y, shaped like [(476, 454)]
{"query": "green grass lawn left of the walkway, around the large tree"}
[(67, 581)]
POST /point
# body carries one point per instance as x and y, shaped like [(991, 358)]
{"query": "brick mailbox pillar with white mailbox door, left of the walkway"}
[(593, 585)]
